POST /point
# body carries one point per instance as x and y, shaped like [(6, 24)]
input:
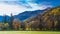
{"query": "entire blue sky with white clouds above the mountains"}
[(18, 6)]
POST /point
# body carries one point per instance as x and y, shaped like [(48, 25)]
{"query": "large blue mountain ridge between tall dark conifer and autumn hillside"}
[(28, 14)]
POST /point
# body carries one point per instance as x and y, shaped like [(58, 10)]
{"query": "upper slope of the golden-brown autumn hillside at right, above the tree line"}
[(49, 13)]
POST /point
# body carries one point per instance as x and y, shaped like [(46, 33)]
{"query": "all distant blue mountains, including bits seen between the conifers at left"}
[(24, 15)]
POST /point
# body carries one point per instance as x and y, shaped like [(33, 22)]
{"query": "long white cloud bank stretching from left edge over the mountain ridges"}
[(7, 8)]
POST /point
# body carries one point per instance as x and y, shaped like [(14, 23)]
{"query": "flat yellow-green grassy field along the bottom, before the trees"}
[(28, 32)]
